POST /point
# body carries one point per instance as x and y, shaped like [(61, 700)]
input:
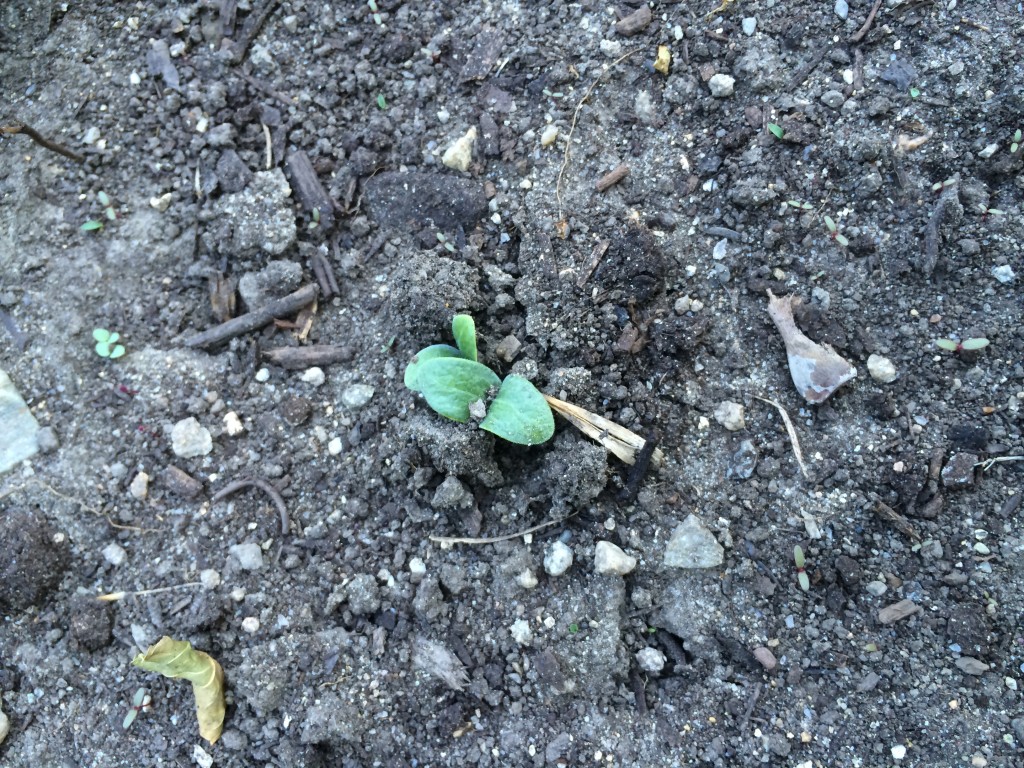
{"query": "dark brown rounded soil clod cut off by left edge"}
[(33, 563)]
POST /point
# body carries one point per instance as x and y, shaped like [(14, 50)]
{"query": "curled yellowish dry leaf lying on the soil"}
[(178, 659)]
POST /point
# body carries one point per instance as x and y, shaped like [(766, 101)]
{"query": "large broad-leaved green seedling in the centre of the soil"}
[(459, 388)]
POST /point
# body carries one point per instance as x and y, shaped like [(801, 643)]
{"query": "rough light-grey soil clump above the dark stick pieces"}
[(260, 218)]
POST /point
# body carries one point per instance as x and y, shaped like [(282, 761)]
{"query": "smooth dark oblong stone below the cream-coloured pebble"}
[(395, 200)]
